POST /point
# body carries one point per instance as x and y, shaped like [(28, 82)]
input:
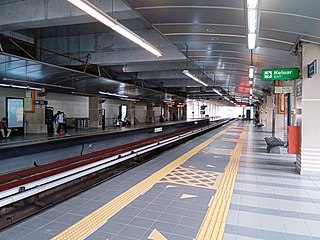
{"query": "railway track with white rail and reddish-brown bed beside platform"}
[(30, 191)]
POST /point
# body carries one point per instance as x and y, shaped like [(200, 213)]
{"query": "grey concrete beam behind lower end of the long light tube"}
[(110, 48)]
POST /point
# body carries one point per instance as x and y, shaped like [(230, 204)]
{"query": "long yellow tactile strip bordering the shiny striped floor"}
[(213, 225)]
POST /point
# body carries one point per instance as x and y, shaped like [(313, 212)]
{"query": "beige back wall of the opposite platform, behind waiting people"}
[(74, 106)]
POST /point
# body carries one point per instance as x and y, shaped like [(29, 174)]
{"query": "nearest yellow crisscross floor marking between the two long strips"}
[(192, 177)]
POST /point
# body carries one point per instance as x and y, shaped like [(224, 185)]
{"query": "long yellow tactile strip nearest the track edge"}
[(92, 222)]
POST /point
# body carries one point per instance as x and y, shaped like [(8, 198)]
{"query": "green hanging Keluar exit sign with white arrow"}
[(280, 74)]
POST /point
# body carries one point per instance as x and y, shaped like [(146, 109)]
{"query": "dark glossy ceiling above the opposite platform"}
[(18, 71)]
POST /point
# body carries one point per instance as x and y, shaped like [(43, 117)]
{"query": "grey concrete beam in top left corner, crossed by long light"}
[(20, 15)]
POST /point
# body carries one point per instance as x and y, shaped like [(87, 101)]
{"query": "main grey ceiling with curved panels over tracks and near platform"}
[(207, 37)]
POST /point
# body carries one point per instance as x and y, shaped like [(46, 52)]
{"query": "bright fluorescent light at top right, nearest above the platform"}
[(252, 22)]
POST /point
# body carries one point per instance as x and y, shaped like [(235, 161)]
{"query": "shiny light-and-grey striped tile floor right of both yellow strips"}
[(271, 193)]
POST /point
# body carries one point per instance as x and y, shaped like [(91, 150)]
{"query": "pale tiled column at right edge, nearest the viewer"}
[(308, 161)]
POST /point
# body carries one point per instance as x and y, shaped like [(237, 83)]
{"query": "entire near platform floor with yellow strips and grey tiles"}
[(220, 185)]
